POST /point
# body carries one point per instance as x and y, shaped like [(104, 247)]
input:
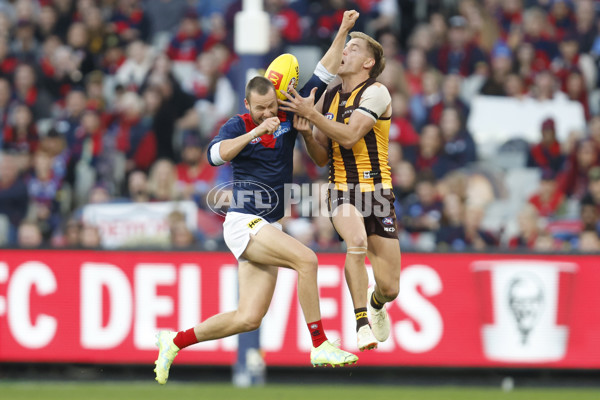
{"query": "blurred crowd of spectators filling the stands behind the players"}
[(113, 101)]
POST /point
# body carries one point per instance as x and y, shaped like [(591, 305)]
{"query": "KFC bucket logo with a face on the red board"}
[(524, 309)]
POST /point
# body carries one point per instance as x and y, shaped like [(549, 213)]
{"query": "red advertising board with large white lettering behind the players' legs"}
[(453, 309)]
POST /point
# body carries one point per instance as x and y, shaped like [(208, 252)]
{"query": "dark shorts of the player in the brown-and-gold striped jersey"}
[(377, 210)]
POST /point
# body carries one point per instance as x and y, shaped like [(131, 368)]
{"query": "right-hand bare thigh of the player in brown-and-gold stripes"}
[(384, 255)]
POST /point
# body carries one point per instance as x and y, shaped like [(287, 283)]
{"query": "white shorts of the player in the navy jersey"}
[(237, 229)]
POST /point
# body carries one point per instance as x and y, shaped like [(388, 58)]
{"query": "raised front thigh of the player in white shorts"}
[(270, 246)]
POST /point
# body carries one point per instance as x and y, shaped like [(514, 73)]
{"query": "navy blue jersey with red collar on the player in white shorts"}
[(264, 166)]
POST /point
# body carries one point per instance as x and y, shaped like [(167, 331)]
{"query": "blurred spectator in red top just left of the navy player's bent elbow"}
[(195, 176)]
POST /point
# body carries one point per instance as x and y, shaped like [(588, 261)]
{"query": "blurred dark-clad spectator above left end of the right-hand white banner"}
[(458, 55)]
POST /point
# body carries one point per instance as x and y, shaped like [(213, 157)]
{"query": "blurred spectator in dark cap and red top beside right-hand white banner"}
[(547, 153)]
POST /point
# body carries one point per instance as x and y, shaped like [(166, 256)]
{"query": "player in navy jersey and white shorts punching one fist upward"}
[(259, 146)]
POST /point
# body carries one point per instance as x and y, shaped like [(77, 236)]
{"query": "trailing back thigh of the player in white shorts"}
[(256, 286)]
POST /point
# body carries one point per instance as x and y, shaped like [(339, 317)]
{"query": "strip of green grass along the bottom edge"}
[(180, 391)]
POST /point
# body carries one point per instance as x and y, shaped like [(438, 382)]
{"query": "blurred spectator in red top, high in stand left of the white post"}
[(189, 41)]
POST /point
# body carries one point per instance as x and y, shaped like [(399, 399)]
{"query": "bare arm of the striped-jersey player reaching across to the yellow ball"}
[(345, 134)]
